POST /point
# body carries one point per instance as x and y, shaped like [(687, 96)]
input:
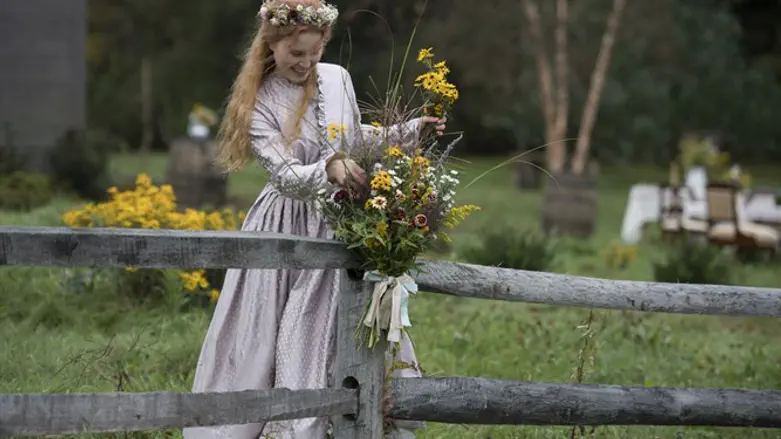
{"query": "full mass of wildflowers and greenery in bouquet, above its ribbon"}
[(409, 204)]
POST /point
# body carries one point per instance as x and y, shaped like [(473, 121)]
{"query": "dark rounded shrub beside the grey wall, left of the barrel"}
[(80, 162)]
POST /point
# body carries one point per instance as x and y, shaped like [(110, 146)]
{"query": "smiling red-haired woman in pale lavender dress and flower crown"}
[(276, 328)]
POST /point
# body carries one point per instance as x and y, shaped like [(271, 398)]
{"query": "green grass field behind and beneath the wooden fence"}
[(62, 330)]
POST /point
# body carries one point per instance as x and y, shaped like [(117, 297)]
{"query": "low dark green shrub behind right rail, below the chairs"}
[(695, 263)]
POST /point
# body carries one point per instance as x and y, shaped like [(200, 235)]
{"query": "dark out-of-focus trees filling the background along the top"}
[(710, 65)]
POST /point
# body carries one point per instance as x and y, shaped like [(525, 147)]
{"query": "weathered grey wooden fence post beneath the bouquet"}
[(356, 365)]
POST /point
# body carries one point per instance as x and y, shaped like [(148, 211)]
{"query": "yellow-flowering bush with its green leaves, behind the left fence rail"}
[(151, 207)]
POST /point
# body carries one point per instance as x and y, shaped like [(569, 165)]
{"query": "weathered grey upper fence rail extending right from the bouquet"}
[(466, 280)]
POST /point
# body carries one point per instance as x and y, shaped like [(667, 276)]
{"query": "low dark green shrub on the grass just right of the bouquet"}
[(509, 247)]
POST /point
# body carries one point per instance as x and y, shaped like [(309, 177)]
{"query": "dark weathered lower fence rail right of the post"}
[(487, 401)]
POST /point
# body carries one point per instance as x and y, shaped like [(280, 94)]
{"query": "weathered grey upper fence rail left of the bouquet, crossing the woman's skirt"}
[(105, 247)]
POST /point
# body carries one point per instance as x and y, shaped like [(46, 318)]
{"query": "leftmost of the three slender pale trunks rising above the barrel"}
[(555, 150)]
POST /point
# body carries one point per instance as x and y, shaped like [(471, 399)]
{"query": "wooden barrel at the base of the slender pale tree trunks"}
[(570, 206)]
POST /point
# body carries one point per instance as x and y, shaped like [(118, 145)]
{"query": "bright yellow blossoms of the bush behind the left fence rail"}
[(151, 207)]
